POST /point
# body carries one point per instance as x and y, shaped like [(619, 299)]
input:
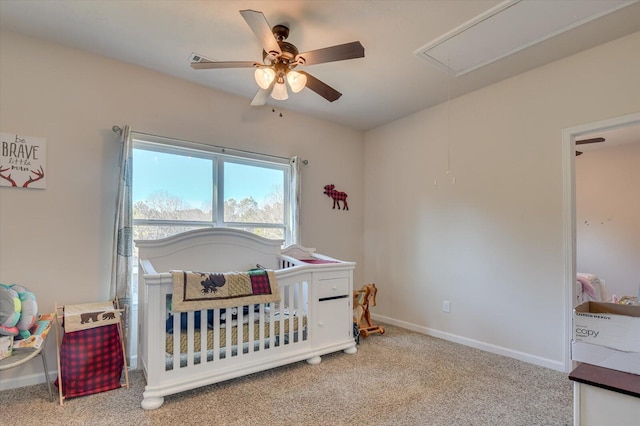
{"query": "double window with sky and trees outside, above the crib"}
[(180, 186)]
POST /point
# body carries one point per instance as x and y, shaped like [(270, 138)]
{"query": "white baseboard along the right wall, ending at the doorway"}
[(487, 347)]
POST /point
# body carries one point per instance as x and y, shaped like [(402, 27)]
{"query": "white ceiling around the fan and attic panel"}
[(389, 83)]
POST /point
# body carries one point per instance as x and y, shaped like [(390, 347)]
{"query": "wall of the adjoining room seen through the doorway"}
[(607, 216)]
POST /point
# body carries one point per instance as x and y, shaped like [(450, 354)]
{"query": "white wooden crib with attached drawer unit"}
[(312, 318)]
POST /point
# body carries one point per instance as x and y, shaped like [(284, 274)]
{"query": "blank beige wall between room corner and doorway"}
[(492, 242)]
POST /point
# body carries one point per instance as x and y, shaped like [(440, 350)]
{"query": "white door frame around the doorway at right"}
[(569, 136)]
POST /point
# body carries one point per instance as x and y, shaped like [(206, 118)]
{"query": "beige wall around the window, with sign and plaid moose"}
[(57, 241)]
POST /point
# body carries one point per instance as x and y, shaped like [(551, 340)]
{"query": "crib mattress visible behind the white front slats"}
[(197, 335)]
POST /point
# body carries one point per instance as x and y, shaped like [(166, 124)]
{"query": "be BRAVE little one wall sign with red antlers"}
[(23, 161)]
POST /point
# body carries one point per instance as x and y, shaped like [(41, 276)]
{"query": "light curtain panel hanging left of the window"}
[(122, 263)]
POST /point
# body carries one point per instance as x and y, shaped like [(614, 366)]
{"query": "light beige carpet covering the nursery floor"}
[(399, 378)]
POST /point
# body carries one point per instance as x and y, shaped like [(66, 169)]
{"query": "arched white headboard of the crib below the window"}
[(209, 250)]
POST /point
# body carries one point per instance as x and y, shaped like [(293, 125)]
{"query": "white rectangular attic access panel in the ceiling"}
[(510, 27)]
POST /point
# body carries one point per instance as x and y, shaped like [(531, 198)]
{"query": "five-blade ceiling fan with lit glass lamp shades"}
[(280, 59)]
